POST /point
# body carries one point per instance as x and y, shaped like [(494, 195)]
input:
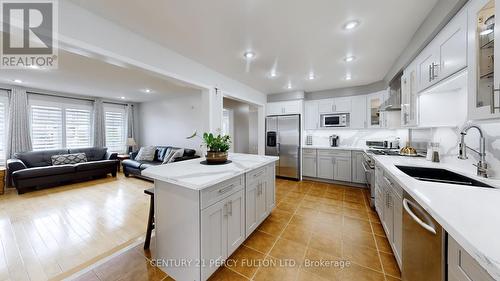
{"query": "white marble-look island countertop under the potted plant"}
[(191, 174)]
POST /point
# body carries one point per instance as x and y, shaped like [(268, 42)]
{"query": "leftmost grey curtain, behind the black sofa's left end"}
[(18, 136)]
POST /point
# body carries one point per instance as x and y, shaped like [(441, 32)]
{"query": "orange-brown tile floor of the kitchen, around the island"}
[(312, 222)]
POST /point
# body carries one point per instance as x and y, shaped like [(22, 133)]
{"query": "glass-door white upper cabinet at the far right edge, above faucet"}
[(484, 82)]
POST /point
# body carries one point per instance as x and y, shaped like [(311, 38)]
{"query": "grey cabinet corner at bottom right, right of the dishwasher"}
[(462, 266)]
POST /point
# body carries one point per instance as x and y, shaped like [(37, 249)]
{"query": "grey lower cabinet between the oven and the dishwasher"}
[(390, 209)]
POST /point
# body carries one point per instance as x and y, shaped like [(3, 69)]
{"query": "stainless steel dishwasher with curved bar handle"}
[(423, 244)]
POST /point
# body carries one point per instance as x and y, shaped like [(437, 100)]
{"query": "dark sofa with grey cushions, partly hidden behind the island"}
[(133, 167)]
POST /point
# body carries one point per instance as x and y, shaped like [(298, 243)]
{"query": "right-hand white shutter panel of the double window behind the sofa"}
[(78, 128)]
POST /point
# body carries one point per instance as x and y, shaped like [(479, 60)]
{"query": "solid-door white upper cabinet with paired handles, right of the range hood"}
[(446, 53)]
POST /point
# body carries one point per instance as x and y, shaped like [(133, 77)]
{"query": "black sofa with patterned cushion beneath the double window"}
[(34, 170)]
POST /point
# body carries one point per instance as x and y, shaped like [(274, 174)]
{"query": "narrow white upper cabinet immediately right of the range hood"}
[(409, 97)]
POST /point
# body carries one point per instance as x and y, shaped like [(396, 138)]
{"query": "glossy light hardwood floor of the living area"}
[(52, 233)]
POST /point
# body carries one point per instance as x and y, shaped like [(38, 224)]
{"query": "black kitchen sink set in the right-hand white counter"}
[(440, 176)]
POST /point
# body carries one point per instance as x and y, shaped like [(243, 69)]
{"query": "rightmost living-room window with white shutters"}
[(115, 121)]
